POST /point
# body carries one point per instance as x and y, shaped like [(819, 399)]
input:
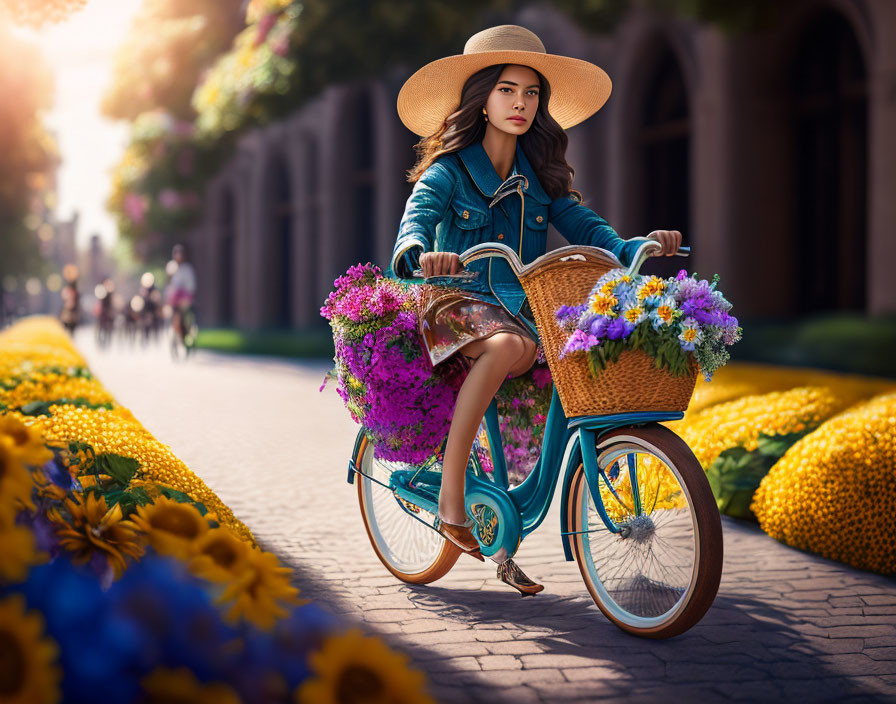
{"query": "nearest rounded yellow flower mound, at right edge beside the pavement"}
[(833, 492)]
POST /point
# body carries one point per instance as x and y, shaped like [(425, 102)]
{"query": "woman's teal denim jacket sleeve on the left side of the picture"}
[(424, 210)]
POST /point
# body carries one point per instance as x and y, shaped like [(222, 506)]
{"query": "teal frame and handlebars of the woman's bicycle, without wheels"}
[(505, 515)]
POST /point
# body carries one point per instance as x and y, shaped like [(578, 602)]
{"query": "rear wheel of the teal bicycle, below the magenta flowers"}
[(410, 550)]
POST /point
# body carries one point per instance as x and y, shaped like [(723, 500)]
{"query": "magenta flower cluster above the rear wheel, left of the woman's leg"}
[(384, 375)]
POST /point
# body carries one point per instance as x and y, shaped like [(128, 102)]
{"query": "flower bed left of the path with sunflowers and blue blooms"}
[(114, 580)]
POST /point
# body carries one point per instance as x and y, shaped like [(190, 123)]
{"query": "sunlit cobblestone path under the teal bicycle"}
[(785, 625)]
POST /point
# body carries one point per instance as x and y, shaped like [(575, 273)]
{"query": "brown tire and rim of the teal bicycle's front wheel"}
[(706, 574)]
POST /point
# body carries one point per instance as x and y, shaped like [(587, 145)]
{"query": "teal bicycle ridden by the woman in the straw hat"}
[(637, 512)]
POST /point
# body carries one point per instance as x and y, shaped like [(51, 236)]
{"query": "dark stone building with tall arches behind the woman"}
[(773, 152)]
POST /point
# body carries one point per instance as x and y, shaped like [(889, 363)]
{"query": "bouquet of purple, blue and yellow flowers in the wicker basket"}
[(667, 318)]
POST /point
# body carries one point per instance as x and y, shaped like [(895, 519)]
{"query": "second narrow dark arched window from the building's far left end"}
[(282, 279)]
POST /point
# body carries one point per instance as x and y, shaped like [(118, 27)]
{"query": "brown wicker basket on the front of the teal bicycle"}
[(632, 383)]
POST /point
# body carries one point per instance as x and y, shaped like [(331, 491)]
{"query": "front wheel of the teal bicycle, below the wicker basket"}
[(658, 572)]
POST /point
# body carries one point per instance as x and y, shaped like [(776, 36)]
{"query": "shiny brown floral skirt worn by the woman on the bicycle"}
[(451, 318)]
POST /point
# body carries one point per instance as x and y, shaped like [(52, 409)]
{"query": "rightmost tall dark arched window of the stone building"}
[(829, 118)]
